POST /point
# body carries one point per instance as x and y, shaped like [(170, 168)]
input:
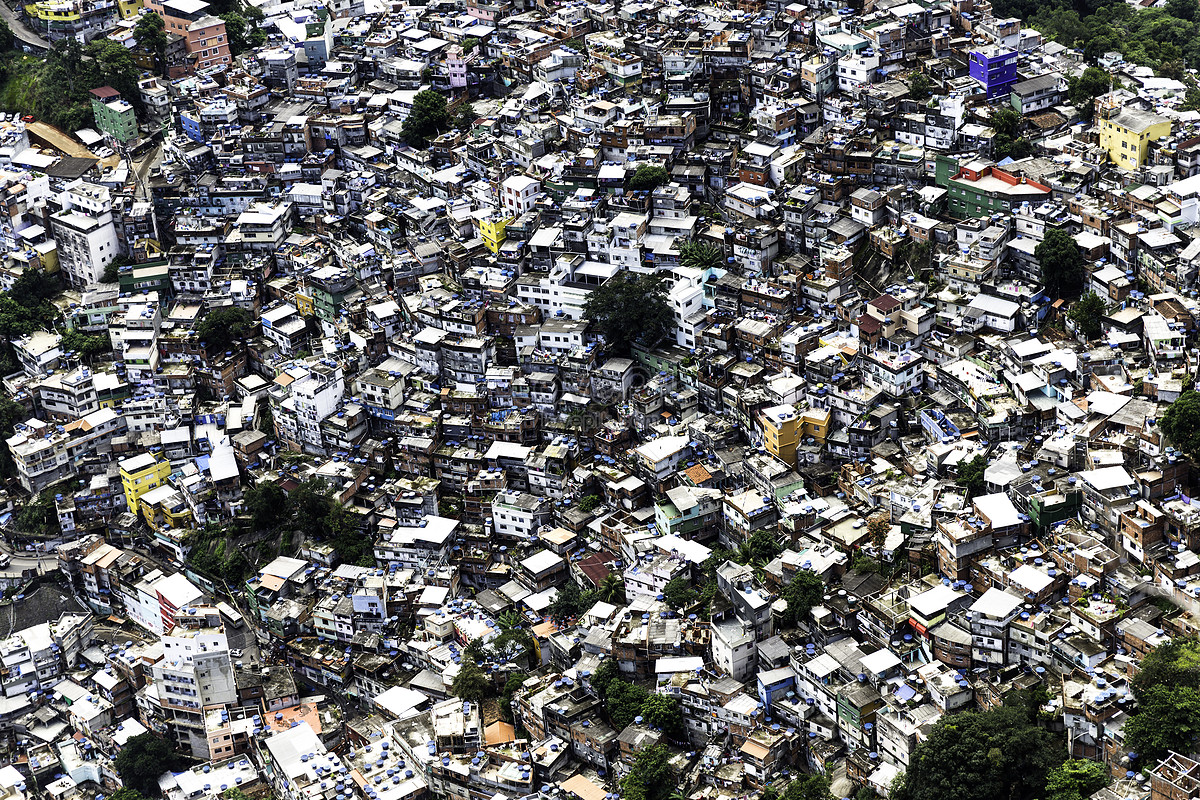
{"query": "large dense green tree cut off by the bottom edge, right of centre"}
[(981, 756)]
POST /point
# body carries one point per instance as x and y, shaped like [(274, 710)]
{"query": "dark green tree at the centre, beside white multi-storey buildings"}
[(631, 310)]
